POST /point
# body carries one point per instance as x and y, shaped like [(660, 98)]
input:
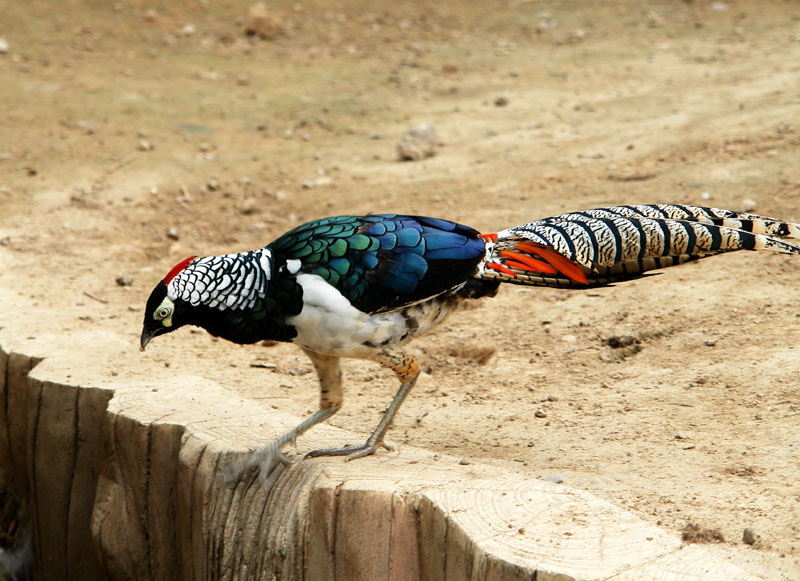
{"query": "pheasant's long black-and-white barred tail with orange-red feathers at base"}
[(606, 245)]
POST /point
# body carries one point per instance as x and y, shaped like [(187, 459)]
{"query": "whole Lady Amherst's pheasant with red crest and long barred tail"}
[(363, 286)]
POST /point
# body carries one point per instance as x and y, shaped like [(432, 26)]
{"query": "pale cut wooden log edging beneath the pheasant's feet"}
[(137, 479)]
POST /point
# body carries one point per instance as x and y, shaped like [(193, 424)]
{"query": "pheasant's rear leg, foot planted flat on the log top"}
[(407, 370)]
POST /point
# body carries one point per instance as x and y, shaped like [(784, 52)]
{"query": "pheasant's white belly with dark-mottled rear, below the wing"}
[(329, 324)]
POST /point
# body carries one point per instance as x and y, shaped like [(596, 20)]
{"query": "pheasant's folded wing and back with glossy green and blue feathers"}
[(382, 262)]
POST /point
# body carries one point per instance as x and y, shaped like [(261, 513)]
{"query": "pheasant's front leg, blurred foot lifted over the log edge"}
[(330, 402)]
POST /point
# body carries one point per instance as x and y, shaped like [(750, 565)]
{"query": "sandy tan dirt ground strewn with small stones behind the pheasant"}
[(138, 133)]
